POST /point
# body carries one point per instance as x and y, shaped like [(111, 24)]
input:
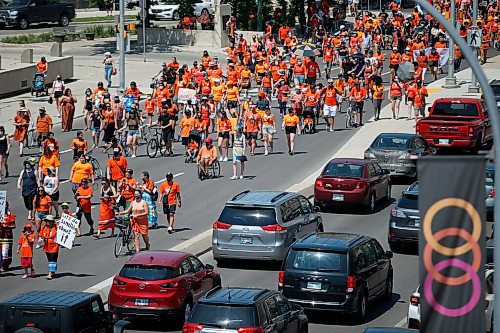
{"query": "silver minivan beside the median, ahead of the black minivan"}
[(262, 225)]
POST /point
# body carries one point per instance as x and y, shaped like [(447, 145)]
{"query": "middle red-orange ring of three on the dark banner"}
[(452, 281)]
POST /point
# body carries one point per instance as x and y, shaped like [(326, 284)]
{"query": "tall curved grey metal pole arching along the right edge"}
[(491, 104)]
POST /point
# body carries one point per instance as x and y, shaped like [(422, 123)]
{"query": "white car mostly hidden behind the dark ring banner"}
[(413, 318)]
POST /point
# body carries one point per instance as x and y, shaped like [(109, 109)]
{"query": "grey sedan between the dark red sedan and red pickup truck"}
[(398, 152)]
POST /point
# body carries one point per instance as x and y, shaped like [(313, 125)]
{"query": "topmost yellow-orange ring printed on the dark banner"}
[(444, 203)]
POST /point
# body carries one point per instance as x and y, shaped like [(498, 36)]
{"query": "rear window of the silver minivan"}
[(248, 216)]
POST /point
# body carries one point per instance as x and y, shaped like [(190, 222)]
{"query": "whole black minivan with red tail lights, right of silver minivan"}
[(336, 272)]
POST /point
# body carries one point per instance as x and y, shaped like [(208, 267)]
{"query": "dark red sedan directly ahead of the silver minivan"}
[(352, 182)]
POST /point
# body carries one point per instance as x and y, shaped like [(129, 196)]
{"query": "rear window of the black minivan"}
[(312, 260)]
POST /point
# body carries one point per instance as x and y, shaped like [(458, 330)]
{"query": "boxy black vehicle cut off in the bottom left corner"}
[(56, 311)]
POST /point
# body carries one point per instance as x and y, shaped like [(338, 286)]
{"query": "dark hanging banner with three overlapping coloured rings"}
[(451, 245)]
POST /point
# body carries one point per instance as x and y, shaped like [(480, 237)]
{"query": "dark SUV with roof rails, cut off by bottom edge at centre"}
[(247, 310)]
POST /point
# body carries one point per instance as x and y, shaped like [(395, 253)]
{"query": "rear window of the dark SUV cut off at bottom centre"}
[(223, 316)]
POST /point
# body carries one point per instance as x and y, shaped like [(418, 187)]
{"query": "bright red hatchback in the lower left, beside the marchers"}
[(158, 284)]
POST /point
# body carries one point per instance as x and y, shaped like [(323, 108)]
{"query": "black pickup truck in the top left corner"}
[(22, 13)]
